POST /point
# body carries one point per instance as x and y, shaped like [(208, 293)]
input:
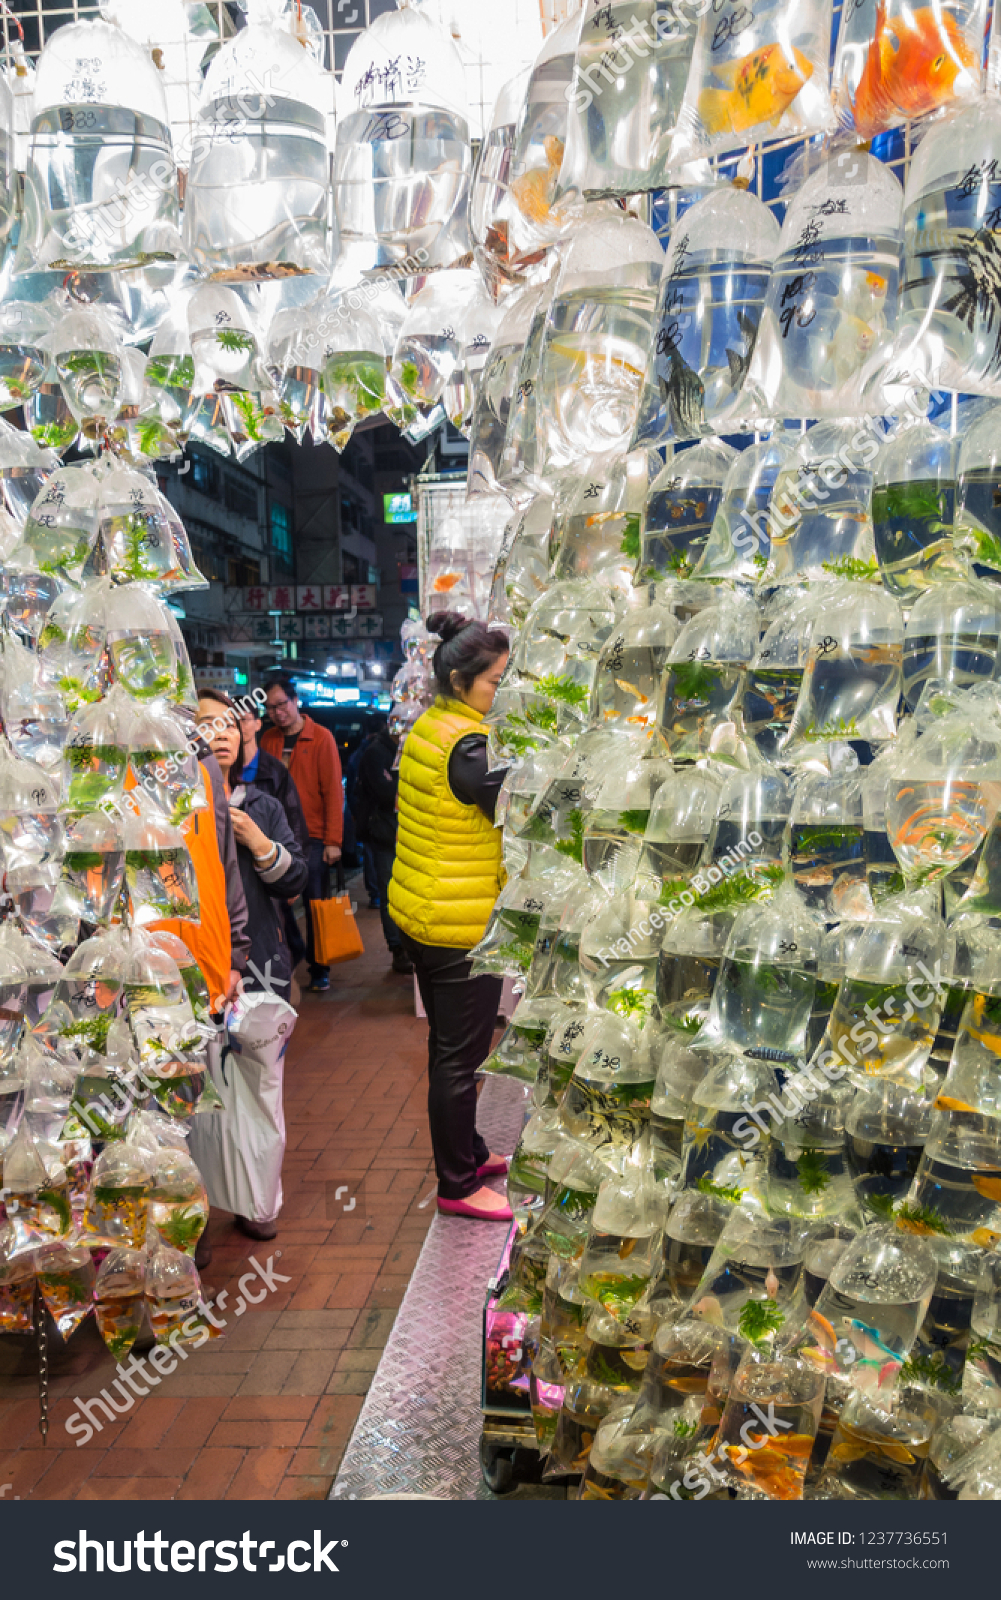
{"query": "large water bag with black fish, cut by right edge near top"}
[(951, 306)]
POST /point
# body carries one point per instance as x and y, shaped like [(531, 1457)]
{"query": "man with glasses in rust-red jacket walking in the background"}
[(311, 756)]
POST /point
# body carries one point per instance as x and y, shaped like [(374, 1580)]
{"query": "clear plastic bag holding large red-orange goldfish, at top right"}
[(896, 62)]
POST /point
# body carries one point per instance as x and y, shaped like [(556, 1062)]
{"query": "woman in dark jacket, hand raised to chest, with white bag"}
[(274, 871)]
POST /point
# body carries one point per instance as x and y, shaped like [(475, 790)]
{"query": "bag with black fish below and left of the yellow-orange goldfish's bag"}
[(712, 295)]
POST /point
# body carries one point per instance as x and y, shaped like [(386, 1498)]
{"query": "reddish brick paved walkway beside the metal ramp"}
[(266, 1412)]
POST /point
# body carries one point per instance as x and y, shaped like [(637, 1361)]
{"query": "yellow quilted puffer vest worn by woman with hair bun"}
[(447, 874)]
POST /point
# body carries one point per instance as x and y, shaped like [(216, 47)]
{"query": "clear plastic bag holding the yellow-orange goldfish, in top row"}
[(756, 76)]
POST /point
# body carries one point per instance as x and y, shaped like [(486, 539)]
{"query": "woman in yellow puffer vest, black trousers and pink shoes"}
[(445, 882)]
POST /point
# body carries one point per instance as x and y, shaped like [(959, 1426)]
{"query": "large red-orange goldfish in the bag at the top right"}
[(911, 70)]
